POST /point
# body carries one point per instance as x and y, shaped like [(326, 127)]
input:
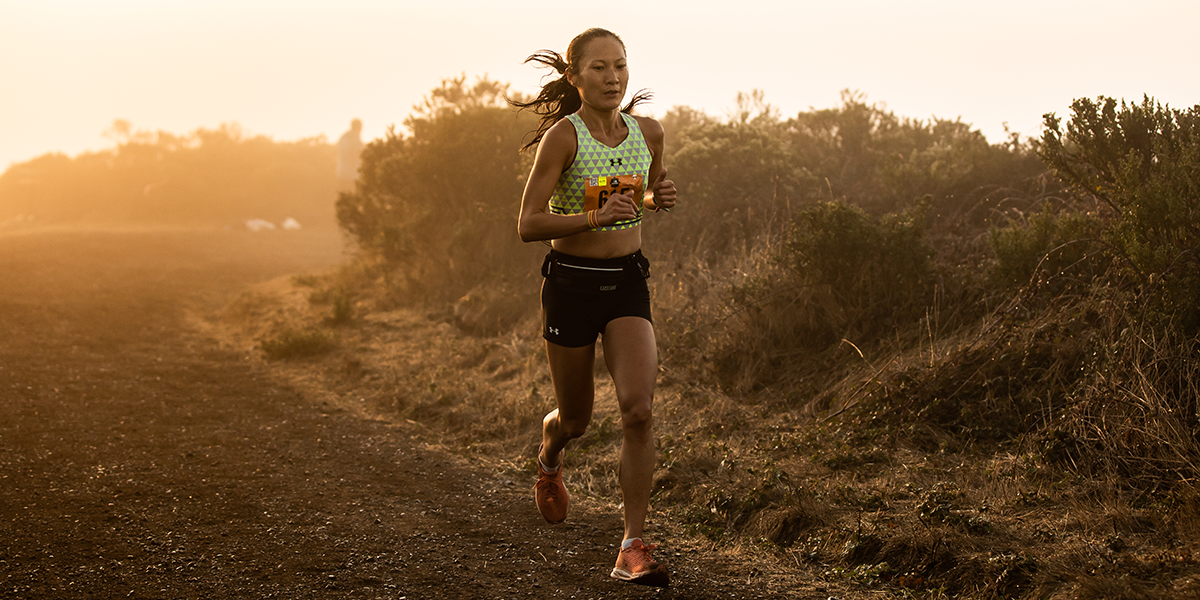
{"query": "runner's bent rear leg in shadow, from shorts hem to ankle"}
[(572, 373)]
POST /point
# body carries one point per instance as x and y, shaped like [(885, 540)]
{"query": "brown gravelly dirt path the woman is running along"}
[(141, 458)]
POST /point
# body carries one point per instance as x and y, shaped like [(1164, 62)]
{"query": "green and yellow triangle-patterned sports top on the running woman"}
[(598, 172)]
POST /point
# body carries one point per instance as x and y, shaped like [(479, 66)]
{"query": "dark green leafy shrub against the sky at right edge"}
[(1142, 164)]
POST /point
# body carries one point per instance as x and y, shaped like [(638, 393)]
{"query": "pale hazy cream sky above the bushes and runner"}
[(301, 69)]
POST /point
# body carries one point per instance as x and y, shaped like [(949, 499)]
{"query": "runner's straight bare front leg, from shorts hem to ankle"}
[(633, 359)]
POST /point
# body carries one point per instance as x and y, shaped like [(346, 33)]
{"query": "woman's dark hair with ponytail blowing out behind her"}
[(560, 99)]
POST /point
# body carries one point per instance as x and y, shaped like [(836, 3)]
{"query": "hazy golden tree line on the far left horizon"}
[(211, 177)]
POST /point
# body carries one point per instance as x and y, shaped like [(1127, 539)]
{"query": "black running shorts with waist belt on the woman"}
[(581, 296)]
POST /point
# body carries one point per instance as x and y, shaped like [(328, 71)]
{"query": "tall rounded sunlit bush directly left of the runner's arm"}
[(441, 203)]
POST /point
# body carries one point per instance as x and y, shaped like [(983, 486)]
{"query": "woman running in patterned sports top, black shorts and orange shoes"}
[(586, 195)]
